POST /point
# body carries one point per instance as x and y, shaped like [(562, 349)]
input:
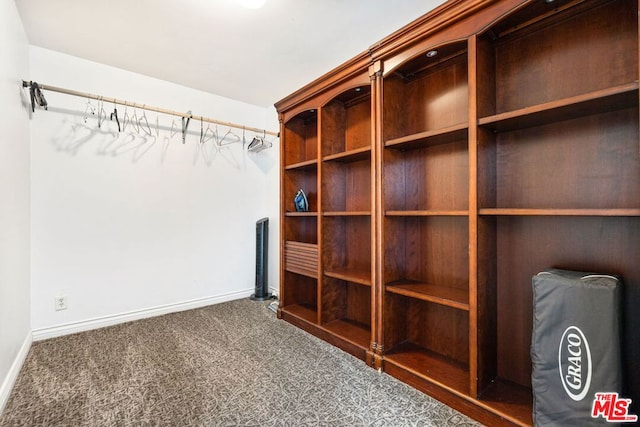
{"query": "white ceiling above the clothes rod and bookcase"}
[(256, 56)]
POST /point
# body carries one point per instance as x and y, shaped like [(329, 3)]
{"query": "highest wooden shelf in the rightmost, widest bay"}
[(615, 98)]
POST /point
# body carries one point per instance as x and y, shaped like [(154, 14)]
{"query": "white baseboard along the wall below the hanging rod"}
[(101, 322)]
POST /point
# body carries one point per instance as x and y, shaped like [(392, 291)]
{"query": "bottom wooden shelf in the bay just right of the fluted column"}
[(431, 366)]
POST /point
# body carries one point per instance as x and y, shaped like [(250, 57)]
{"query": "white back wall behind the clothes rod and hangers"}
[(121, 223)]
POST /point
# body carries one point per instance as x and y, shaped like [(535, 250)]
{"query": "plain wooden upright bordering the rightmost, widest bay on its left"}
[(473, 214)]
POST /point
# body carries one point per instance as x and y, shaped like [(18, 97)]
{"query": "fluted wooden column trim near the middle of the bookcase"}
[(377, 214)]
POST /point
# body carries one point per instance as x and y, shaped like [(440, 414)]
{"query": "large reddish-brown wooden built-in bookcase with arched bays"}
[(455, 159)]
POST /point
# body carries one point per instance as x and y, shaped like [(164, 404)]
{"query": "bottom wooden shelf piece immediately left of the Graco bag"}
[(512, 401)]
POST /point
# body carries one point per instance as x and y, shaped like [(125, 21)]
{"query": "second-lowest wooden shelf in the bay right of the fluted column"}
[(442, 295)]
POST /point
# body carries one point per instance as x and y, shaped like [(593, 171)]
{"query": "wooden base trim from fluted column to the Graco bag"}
[(458, 401)]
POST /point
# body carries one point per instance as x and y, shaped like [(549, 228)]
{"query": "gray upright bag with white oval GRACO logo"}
[(576, 346)]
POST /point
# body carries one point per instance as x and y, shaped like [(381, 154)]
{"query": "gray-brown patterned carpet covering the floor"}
[(231, 364)]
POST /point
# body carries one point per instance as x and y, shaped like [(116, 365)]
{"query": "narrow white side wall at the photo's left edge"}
[(15, 330)]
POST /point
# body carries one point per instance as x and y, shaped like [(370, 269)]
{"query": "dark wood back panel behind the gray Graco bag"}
[(528, 245)]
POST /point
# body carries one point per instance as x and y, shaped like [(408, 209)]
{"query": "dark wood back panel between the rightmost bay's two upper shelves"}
[(590, 162)]
